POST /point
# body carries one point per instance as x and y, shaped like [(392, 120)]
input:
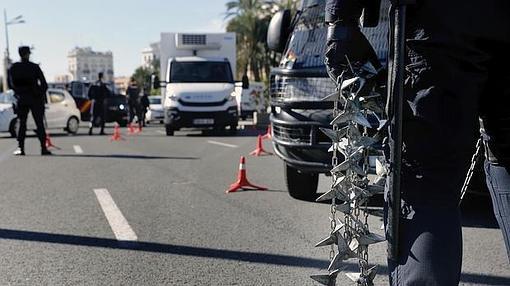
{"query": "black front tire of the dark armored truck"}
[(301, 186)]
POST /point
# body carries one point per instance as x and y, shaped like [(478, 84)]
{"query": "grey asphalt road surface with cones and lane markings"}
[(61, 217)]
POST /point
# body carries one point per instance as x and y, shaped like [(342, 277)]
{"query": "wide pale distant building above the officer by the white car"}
[(85, 64)]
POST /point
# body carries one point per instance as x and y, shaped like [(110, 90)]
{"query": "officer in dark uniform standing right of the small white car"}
[(98, 94)]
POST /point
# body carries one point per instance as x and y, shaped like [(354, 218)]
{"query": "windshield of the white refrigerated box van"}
[(182, 72)]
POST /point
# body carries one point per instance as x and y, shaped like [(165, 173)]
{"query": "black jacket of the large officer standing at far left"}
[(28, 82)]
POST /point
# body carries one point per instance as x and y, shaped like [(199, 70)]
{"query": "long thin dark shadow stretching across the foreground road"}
[(252, 257)]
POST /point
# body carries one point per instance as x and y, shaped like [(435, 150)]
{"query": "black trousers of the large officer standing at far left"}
[(37, 110)]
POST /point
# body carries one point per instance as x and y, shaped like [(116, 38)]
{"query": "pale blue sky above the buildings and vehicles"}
[(125, 27)]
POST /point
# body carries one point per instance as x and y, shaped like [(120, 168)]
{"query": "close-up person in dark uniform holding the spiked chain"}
[(456, 73)]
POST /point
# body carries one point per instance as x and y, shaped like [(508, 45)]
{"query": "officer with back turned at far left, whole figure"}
[(29, 85)]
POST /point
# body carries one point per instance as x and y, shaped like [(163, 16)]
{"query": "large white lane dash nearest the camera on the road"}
[(117, 221)]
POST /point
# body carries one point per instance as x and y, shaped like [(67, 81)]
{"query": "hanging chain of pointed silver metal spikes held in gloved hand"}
[(350, 184)]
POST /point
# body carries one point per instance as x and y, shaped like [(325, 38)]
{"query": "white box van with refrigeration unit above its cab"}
[(198, 86)]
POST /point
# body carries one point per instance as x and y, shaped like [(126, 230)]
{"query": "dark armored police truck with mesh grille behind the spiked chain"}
[(297, 86)]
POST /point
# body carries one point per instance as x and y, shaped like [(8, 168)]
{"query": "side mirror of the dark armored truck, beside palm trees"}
[(278, 31)]
